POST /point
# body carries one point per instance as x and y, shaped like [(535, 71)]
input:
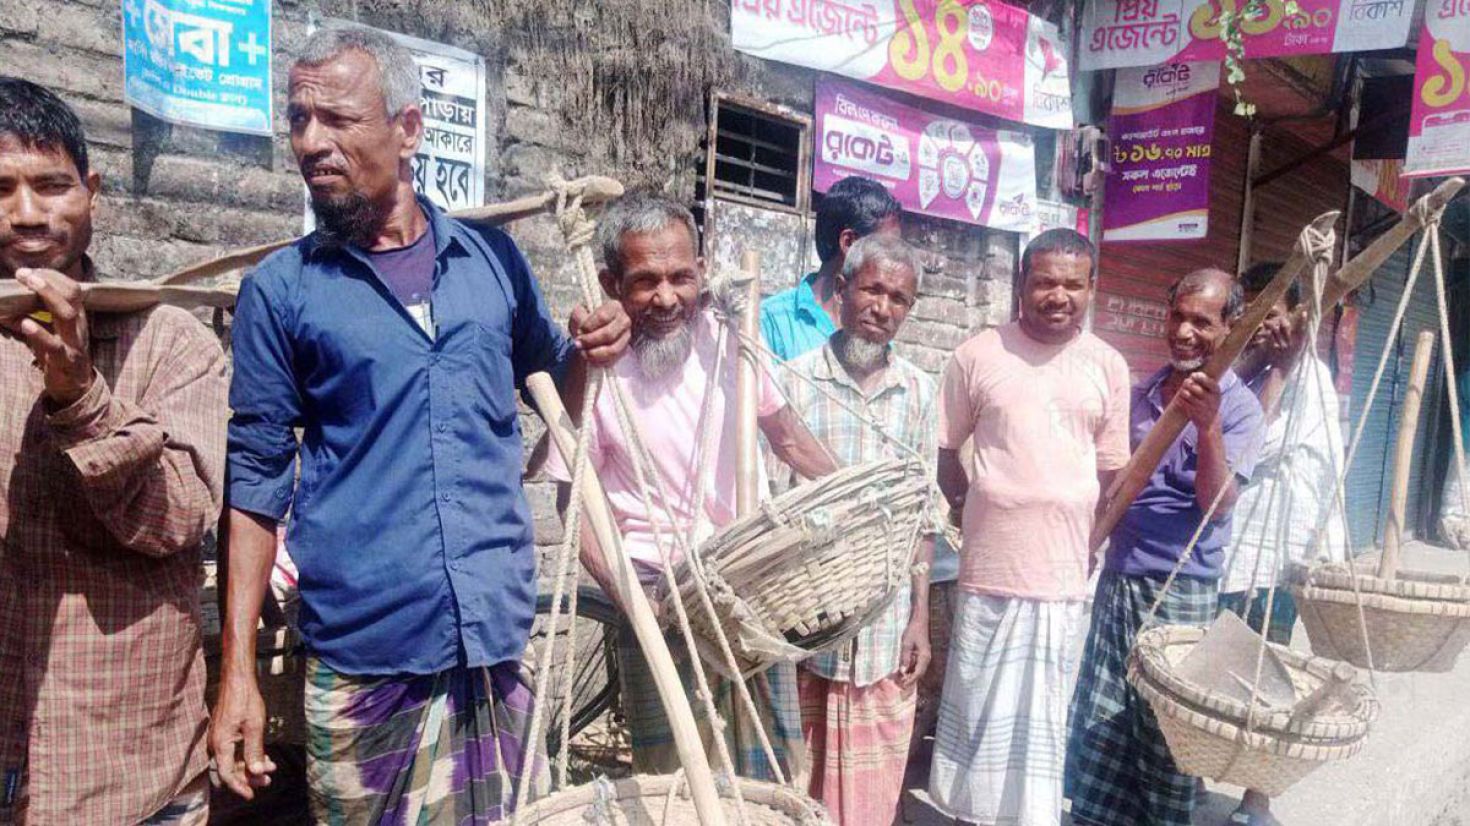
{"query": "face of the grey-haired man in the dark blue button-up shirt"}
[(345, 142)]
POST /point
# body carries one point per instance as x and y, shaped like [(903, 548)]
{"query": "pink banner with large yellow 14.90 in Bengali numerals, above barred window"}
[(972, 54)]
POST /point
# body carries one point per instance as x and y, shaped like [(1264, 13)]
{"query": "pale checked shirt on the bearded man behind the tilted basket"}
[(905, 403)]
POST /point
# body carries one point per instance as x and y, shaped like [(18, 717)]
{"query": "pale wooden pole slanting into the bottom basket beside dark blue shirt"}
[(640, 614)]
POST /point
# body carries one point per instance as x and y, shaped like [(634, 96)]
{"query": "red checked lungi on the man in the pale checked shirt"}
[(859, 746)]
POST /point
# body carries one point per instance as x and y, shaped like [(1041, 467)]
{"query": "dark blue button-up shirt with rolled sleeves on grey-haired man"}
[(409, 524)]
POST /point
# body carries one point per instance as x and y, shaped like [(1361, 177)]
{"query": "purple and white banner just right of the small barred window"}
[(933, 164)]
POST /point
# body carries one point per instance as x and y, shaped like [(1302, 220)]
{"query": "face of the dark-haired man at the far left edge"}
[(45, 209)]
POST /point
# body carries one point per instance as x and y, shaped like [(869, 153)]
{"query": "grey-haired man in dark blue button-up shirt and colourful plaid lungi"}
[(393, 340)]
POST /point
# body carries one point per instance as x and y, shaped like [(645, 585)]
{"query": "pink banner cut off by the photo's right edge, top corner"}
[(1440, 121)]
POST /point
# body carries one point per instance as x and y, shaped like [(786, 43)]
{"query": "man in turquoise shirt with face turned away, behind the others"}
[(803, 318)]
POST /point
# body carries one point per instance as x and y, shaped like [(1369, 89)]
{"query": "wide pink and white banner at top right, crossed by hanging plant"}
[(1143, 33)]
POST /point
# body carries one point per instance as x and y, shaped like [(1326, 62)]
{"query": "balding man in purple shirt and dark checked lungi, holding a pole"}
[(1119, 769)]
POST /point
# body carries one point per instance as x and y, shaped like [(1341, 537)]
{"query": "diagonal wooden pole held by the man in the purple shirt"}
[(1172, 423)]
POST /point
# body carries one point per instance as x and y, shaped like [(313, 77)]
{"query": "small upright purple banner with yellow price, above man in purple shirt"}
[(1162, 126)]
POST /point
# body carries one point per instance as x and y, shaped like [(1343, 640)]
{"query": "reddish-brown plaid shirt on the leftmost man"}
[(104, 506)]
